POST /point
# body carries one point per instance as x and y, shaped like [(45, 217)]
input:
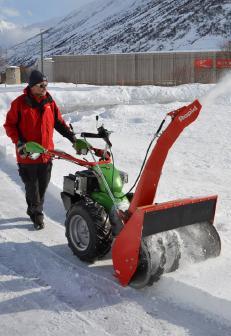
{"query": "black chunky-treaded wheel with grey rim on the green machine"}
[(88, 231)]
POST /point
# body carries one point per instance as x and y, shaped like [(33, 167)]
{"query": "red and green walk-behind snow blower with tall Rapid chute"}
[(147, 238)]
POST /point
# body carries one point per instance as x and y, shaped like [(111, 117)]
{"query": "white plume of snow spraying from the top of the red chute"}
[(221, 88)]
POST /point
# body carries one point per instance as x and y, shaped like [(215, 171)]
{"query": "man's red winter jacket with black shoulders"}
[(30, 119)]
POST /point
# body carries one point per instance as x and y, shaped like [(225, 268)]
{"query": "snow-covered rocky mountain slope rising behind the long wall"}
[(109, 26)]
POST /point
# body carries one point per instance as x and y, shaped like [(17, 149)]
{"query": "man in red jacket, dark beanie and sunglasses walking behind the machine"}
[(33, 116)]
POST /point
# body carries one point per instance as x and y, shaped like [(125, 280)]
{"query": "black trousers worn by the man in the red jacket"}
[(36, 178)]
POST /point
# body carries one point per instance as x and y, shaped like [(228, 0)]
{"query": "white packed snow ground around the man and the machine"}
[(45, 290)]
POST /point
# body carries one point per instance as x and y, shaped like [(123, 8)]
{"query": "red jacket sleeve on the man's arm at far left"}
[(11, 123)]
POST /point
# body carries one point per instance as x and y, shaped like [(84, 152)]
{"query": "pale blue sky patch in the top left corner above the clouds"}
[(25, 12)]
